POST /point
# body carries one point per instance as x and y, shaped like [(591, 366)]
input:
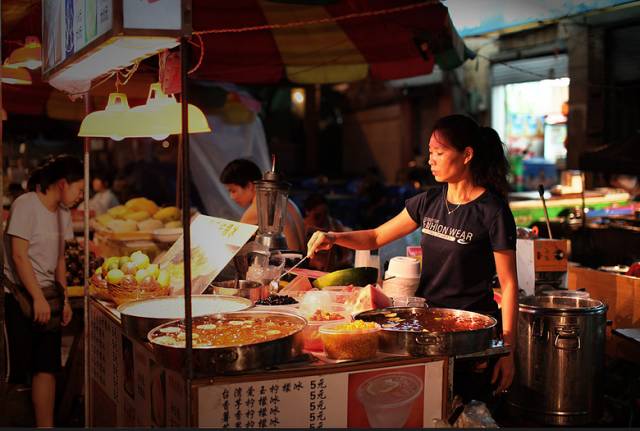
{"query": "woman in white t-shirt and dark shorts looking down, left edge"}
[(38, 225)]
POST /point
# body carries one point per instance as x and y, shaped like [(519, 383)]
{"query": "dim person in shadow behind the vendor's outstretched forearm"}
[(317, 217)]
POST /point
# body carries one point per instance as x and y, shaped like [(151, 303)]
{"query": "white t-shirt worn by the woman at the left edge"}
[(32, 221)]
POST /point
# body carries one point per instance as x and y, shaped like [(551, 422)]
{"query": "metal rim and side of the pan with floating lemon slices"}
[(209, 361)]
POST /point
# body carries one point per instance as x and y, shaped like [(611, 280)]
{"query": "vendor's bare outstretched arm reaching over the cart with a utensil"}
[(397, 227)]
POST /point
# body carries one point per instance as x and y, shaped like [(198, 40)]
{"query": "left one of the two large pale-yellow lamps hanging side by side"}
[(115, 121)]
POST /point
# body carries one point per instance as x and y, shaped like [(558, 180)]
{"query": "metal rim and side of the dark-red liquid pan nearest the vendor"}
[(436, 343)]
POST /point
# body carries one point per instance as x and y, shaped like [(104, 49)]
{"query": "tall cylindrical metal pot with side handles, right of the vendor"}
[(559, 360)]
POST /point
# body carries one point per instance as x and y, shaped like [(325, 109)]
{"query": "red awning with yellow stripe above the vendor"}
[(266, 41)]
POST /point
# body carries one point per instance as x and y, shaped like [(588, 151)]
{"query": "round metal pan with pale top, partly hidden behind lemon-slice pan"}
[(139, 317)]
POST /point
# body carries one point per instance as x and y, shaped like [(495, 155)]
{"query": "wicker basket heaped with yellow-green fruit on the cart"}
[(121, 279)]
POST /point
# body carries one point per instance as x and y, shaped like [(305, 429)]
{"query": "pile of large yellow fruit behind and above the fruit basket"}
[(139, 214)]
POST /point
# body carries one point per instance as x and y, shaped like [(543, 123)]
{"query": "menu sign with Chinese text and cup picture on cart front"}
[(391, 397)]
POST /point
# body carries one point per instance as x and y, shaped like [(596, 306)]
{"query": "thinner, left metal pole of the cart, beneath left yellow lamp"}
[(87, 328)]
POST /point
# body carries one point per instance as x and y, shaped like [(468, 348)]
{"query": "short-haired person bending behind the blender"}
[(238, 177)]
